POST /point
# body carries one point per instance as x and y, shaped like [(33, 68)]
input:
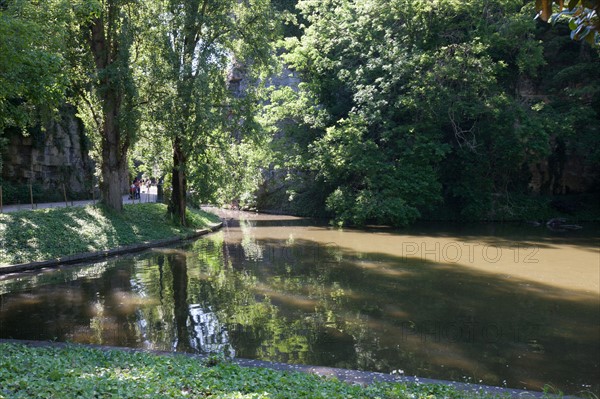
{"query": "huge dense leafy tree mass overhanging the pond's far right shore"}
[(406, 104)]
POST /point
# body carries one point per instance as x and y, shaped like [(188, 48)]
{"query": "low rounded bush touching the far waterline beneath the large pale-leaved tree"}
[(369, 187)]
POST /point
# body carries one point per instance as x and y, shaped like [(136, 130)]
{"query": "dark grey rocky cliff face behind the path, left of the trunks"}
[(50, 157)]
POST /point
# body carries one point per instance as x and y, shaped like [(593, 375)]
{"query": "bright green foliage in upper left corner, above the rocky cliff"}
[(33, 81)]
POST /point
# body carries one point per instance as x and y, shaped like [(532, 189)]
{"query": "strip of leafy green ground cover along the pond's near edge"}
[(80, 372)]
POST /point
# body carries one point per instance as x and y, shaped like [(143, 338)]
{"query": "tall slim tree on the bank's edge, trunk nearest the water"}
[(184, 69)]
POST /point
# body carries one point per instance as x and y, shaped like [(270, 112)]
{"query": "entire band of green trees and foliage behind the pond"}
[(387, 111)]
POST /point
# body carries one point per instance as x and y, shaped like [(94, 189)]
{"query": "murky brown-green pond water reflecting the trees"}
[(507, 305)]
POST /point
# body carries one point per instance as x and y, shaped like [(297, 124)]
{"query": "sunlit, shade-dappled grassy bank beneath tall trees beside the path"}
[(43, 234)]
